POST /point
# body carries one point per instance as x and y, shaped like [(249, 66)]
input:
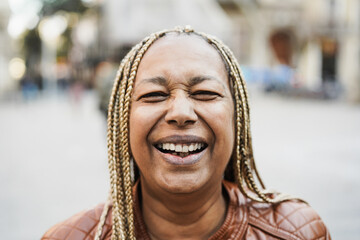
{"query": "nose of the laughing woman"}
[(181, 111)]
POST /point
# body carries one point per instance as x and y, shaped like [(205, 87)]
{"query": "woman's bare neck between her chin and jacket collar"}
[(195, 215)]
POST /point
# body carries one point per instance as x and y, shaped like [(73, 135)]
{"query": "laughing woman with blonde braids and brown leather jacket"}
[(180, 154)]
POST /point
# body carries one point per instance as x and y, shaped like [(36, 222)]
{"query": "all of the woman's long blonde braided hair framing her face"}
[(241, 168)]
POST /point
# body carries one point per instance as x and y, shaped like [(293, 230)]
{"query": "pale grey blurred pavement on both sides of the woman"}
[(53, 159)]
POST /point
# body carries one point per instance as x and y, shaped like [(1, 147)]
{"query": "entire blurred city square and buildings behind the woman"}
[(58, 58)]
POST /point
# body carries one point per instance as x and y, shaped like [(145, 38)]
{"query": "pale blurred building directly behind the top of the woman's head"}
[(126, 22)]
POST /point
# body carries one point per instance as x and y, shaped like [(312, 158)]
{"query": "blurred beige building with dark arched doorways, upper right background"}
[(319, 39)]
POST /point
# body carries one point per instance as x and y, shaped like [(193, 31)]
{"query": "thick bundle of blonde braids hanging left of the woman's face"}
[(118, 145)]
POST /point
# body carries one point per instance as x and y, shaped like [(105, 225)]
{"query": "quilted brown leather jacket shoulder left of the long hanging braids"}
[(81, 226)]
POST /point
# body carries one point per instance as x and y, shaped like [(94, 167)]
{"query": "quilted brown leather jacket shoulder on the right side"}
[(291, 219)]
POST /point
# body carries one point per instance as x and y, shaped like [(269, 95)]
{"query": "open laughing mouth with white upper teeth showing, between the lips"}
[(181, 149)]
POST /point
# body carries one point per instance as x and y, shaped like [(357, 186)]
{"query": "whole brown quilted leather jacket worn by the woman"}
[(245, 219)]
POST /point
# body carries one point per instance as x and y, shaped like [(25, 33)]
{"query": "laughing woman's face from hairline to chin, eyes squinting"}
[(182, 116)]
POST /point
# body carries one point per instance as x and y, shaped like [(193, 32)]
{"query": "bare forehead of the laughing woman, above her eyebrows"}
[(181, 54)]
